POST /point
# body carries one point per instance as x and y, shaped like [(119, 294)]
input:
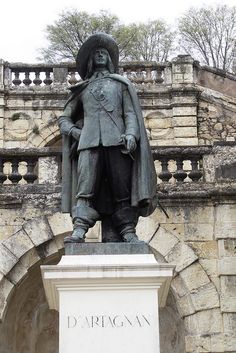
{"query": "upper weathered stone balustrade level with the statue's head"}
[(42, 75)]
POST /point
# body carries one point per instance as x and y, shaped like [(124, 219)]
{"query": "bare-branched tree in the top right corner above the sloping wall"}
[(209, 34)]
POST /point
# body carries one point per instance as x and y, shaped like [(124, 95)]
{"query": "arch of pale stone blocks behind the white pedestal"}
[(193, 295)]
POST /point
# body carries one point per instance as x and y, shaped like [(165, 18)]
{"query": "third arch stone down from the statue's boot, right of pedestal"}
[(182, 256)]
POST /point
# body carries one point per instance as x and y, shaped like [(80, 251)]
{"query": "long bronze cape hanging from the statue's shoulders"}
[(144, 180)]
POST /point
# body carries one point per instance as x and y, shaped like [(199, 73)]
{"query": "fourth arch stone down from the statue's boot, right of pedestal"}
[(194, 277)]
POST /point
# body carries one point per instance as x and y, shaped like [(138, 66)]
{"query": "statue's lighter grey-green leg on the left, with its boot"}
[(83, 214)]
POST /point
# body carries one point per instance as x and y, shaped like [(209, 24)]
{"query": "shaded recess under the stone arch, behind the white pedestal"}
[(29, 326)]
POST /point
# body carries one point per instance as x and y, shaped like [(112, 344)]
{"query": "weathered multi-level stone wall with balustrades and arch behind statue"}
[(184, 110)]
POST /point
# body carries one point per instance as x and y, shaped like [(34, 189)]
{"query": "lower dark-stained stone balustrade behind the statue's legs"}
[(40, 166)]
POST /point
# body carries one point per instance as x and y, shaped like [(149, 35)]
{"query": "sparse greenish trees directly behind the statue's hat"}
[(150, 41)]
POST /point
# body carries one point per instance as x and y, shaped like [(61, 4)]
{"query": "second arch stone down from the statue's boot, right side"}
[(163, 241)]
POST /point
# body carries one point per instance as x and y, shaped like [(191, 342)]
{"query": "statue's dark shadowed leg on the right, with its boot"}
[(125, 217)]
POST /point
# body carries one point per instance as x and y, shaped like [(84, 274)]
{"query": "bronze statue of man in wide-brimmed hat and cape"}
[(108, 166)]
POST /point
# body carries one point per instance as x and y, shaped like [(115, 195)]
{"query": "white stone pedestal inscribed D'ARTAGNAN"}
[(108, 303)]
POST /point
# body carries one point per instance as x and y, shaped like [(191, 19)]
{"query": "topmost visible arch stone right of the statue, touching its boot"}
[(146, 228)]
